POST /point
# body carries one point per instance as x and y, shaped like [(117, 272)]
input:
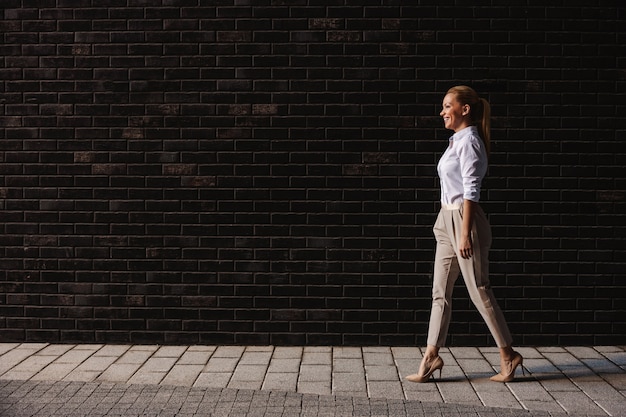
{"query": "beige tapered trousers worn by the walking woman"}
[(475, 271)]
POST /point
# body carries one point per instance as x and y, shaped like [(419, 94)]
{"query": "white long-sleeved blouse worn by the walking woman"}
[(462, 167)]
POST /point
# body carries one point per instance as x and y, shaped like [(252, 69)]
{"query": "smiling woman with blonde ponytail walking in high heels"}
[(463, 233)]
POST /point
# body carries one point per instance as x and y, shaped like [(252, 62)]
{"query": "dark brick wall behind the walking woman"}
[(263, 172)]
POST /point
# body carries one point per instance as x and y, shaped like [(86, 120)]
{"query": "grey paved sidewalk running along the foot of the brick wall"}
[(128, 380)]
